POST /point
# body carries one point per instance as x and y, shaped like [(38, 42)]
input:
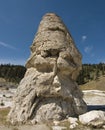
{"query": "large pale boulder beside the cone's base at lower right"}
[(93, 118)]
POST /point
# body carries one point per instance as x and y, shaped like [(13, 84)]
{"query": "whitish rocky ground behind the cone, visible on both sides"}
[(95, 99)]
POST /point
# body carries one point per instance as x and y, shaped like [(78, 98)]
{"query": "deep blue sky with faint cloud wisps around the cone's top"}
[(19, 20)]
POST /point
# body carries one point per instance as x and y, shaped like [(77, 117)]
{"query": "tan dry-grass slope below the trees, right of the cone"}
[(98, 84)]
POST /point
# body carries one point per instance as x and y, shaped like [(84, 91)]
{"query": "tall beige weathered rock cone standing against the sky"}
[(48, 90)]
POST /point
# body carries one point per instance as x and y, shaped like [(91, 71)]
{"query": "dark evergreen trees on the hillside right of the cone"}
[(90, 72)]
